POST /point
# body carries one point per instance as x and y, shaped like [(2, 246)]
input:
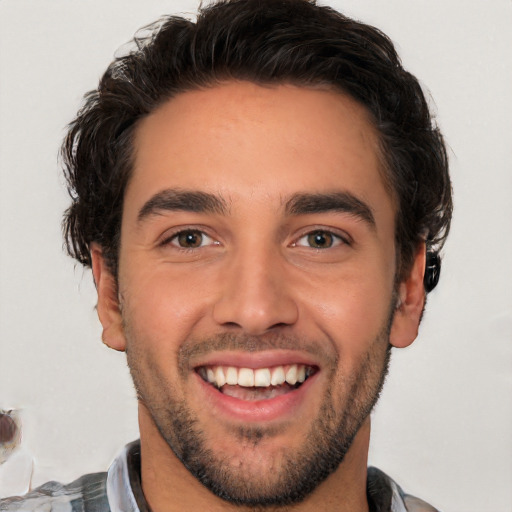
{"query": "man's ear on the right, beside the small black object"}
[(411, 301)]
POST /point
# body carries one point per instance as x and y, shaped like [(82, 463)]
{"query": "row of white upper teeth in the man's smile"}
[(260, 377)]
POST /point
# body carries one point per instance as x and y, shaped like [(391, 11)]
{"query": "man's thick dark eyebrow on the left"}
[(182, 200)]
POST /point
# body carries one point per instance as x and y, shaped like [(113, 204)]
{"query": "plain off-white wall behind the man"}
[(443, 426)]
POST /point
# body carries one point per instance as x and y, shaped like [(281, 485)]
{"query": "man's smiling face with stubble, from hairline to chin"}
[(257, 248)]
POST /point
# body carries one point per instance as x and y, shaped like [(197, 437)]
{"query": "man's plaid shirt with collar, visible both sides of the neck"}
[(119, 490)]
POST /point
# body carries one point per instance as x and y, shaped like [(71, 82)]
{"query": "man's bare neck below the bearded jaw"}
[(168, 486)]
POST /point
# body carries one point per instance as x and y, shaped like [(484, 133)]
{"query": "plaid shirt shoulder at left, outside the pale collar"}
[(86, 494)]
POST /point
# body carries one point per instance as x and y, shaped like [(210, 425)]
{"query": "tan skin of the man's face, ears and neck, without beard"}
[(256, 277)]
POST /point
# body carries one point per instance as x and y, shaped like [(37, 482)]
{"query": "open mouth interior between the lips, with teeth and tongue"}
[(256, 384)]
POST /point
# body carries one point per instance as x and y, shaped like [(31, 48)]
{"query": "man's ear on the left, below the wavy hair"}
[(108, 308)]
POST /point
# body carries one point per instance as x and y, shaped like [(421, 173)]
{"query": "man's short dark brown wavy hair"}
[(266, 42)]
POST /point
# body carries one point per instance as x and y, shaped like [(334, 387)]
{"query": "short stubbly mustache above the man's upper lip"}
[(192, 349)]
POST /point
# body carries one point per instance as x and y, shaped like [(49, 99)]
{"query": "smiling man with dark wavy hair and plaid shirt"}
[(261, 196)]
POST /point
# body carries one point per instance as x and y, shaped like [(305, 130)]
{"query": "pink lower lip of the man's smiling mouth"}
[(258, 411)]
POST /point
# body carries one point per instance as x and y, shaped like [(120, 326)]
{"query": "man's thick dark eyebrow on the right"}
[(343, 202)]
